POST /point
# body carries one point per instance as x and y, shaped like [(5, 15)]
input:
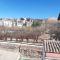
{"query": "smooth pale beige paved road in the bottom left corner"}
[(8, 55)]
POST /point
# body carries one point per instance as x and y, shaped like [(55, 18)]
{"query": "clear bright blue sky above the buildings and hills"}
[(29, 8)]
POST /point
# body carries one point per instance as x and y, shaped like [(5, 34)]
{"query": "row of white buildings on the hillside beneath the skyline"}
[(6, 22)]
